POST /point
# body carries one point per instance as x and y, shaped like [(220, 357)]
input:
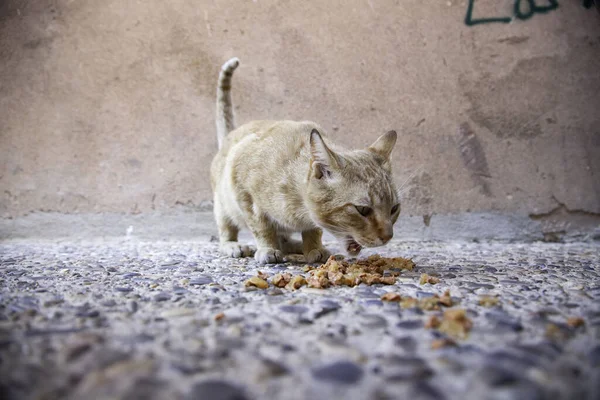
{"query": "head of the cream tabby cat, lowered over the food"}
[(351, 194)]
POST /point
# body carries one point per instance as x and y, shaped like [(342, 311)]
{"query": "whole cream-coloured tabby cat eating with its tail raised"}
[(280, 177)]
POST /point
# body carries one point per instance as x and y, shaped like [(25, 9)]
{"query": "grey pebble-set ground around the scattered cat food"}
[(164, 320)]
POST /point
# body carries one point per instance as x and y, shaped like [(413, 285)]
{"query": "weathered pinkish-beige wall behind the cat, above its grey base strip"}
[(107, 106)]
